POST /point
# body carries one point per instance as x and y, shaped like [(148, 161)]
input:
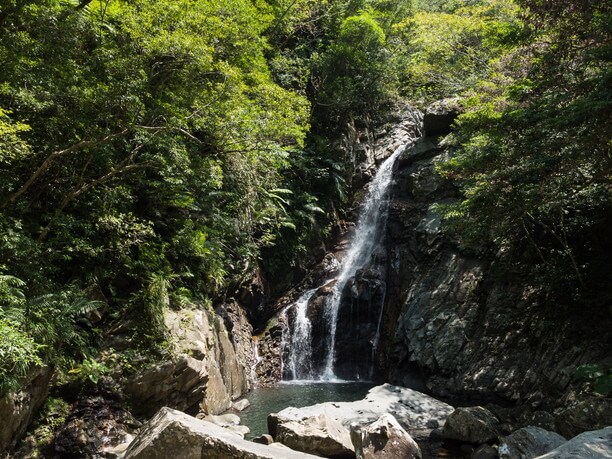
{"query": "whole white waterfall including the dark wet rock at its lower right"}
[(314, 346)]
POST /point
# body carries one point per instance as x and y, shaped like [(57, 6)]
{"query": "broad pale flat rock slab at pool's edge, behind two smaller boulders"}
[(412, 409)]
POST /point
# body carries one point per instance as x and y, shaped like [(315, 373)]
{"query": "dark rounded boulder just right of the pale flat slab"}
[(473, 424)]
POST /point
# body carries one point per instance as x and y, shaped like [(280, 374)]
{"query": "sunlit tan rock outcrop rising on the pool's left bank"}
[(210, 368)]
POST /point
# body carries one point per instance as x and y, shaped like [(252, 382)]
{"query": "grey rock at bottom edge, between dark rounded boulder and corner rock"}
[(530, 442)]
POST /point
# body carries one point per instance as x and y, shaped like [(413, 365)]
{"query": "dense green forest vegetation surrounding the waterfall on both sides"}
[(155, 153)]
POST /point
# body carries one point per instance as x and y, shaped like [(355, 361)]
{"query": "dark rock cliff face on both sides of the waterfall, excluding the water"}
[(449, 321)]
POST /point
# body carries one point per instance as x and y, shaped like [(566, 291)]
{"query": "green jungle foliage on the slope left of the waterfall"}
[(156, 153)]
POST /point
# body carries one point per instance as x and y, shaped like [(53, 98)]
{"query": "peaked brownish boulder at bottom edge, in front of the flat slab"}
[(384, 439)]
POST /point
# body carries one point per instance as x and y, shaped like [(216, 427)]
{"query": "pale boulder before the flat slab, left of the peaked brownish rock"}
[(319, 435)]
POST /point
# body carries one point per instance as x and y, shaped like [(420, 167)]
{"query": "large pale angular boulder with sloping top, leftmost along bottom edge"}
[(171, 433)]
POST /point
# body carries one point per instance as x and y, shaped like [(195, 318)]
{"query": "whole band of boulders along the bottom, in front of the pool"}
[(389, 423)]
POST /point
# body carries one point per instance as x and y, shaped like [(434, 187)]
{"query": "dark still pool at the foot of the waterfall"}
[(266, 400)]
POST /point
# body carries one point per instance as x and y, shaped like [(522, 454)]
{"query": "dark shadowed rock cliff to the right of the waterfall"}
[(449, 315)]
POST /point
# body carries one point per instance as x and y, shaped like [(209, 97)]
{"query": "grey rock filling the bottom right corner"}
[(596, 444)]
